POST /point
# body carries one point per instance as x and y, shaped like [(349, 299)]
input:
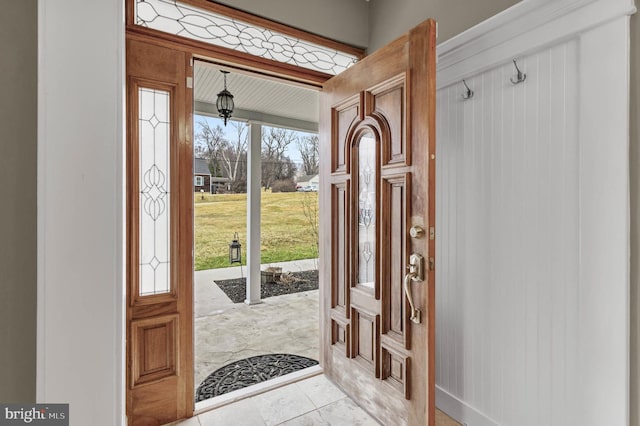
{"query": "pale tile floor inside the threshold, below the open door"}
[(309, 402)]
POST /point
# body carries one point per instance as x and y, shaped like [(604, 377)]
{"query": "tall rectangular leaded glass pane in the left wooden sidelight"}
[(154, 163)]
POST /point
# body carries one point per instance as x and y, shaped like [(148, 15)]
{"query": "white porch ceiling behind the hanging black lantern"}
[(256, 97)]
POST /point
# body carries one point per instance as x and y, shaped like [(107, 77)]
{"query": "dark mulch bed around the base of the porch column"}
[(292, 282)]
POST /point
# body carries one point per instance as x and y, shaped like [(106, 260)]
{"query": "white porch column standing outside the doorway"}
[(254, 176)]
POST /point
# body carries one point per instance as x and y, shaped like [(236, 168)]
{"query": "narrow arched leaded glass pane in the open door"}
[(367, 210)]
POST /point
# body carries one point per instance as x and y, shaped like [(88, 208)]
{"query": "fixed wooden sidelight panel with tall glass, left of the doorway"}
[(159, 234)]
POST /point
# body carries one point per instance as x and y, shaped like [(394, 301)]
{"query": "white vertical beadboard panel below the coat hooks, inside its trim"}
[(508, 241)]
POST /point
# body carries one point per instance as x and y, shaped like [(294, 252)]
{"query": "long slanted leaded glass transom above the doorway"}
[(177, 18)]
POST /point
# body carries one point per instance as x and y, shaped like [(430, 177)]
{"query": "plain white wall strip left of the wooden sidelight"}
[(80, 164)]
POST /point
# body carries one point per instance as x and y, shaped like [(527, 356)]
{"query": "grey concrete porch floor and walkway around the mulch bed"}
[(226, 332)]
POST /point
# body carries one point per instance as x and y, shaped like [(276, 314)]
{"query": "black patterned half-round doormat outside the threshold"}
[(249, 371)]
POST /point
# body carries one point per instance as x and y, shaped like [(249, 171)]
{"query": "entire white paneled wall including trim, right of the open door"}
[(532, 222)]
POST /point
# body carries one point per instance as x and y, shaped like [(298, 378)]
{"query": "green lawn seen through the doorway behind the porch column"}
[(286, 231)]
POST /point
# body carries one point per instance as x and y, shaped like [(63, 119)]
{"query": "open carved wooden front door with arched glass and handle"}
[(378, 212)]
